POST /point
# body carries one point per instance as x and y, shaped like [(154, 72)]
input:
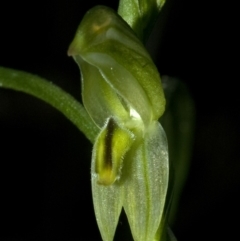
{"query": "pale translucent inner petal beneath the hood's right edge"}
[(123, 83)]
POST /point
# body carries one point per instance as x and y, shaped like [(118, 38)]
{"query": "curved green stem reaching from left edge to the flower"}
[(53, 95)]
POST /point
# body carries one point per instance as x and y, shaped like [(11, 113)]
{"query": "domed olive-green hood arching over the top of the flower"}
[(105, 41)]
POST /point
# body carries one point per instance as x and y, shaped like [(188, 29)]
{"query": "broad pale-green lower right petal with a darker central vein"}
[(145, 188)]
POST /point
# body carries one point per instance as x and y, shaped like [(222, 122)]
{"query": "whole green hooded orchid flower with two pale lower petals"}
[(122, 93)]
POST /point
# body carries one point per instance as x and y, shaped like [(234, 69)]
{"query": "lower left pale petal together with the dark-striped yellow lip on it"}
[(109, 150)]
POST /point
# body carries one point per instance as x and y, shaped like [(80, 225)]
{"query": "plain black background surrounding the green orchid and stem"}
[(45, 161)]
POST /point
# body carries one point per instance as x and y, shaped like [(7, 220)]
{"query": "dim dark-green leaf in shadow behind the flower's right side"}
[(178, 122)]
